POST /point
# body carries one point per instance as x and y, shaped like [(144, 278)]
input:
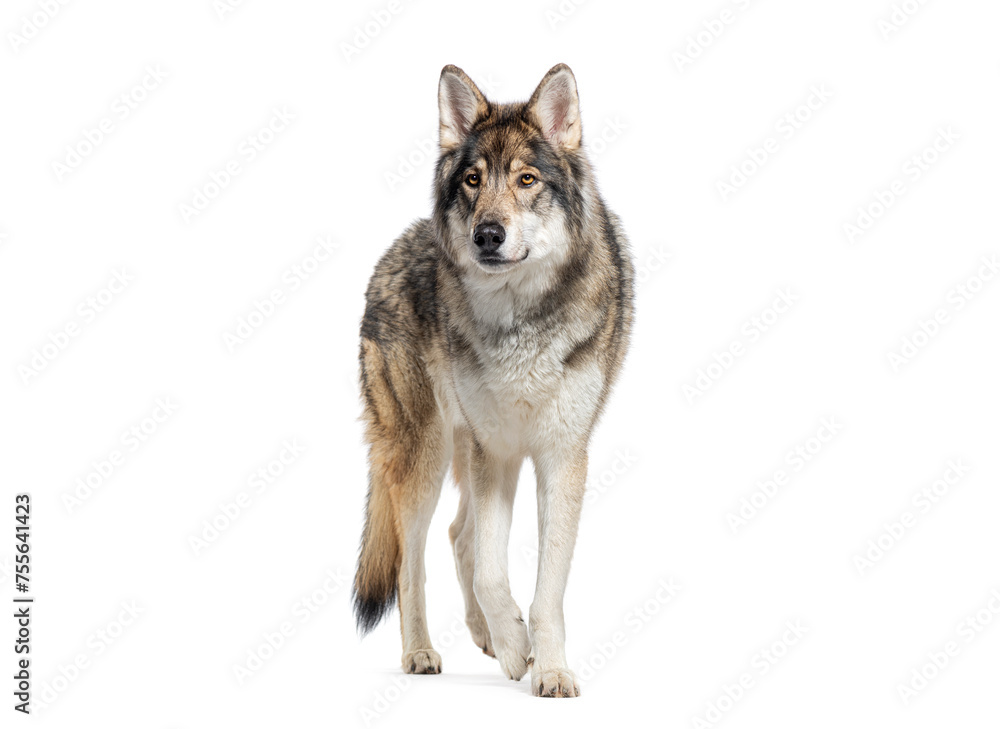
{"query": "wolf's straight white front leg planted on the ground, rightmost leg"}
[(561, 483)]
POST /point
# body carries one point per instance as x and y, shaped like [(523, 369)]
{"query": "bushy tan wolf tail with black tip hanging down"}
[(375, 583)]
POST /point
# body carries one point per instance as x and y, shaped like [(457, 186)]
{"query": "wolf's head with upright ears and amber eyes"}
[(512, 180)]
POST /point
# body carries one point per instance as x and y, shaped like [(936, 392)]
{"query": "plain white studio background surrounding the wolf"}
[(663, 133)]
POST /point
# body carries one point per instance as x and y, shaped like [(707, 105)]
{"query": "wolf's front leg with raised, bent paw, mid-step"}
[(493, 485)]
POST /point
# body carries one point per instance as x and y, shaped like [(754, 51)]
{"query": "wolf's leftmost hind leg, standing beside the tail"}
[(415, 502)]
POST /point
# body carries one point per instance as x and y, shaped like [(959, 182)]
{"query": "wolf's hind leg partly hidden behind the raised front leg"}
[(463, 541)]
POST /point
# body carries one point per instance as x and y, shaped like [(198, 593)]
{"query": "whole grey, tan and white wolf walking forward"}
[(493, 332)]
